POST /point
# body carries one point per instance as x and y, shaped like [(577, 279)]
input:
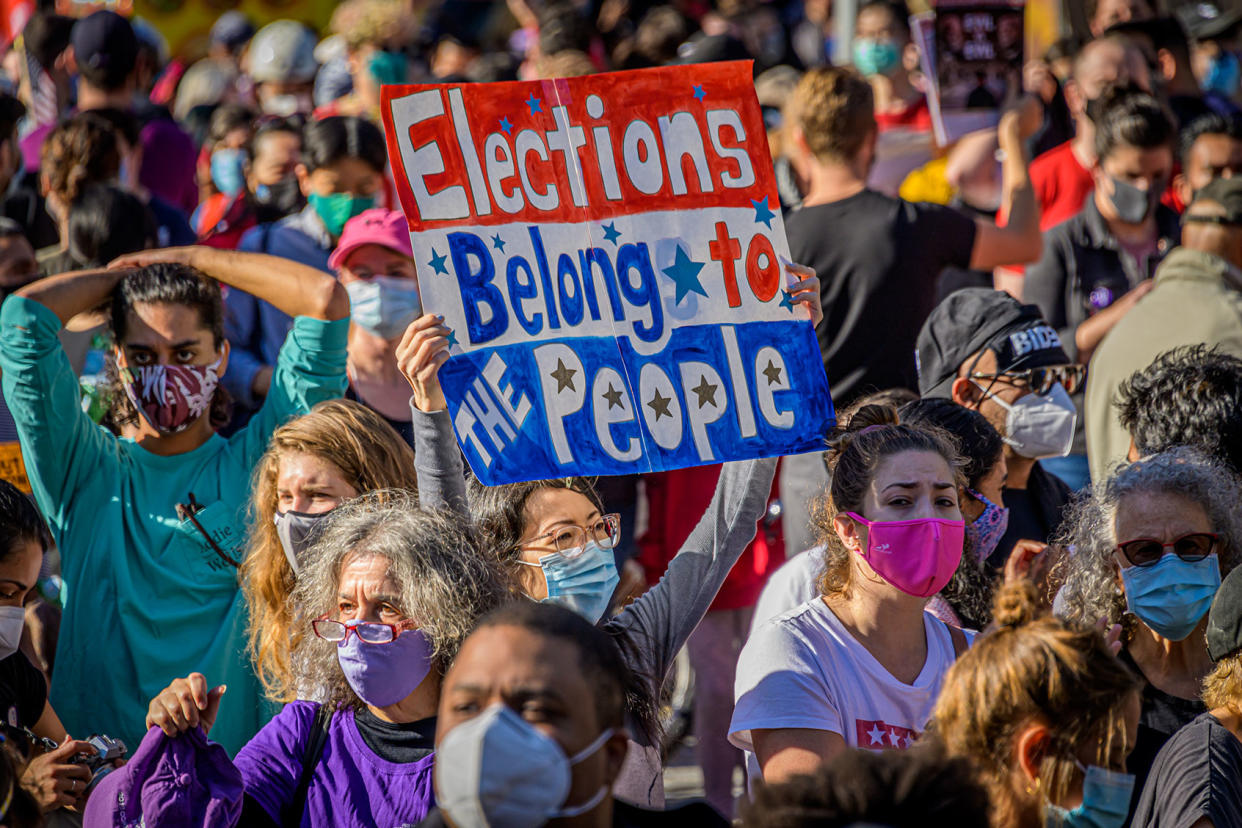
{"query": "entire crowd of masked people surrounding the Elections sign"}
[(247, 578)]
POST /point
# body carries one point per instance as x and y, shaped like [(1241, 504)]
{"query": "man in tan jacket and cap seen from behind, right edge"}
[(1197, 300)]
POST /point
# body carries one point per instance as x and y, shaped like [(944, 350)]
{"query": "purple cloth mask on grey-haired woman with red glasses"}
[(384, 675)]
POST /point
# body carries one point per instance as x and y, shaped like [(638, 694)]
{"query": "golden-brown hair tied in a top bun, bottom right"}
[(1033, 670)]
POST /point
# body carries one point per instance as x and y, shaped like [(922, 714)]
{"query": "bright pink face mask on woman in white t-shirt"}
[(917, 557)]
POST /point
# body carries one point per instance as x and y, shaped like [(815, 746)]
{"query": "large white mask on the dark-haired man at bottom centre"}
[(499, 770)]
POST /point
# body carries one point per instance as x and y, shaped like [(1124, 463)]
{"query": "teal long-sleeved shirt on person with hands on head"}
[(148, 600)]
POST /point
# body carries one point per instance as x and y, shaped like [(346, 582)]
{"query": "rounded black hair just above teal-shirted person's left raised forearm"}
[(106, 223)]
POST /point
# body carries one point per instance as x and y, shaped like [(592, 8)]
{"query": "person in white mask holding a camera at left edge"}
[(52, 778)]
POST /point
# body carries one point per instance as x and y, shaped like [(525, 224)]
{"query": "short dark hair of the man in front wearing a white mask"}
[(598, 656)]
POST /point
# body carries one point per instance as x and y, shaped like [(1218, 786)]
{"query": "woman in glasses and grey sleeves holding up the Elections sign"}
[(556, 538)]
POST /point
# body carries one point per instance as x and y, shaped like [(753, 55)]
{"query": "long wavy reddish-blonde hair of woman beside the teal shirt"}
[(369, 456)]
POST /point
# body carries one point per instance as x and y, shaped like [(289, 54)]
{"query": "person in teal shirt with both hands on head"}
[(151, 523)]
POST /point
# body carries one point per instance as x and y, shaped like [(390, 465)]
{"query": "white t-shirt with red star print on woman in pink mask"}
[(804, 670)]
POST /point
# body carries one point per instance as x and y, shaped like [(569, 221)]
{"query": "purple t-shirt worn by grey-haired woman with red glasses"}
[(351, 785)]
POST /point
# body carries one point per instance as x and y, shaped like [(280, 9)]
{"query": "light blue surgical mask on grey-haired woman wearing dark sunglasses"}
[(1172, 595)]
